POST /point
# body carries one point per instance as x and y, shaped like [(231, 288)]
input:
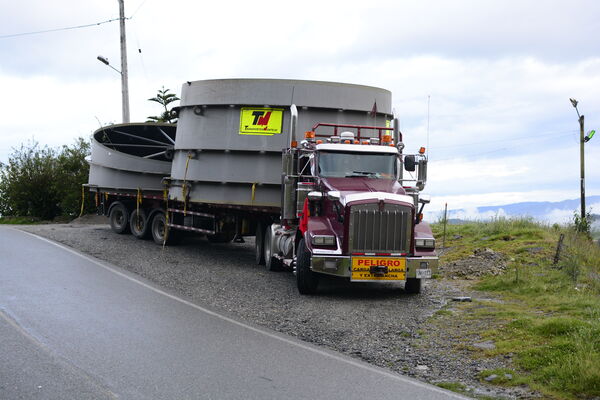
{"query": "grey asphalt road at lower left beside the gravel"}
[(72, 327)]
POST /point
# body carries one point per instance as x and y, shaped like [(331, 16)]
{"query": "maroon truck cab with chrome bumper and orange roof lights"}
[(358, 210)]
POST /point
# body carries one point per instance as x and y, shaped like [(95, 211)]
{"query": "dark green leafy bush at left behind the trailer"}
[(43, 182)]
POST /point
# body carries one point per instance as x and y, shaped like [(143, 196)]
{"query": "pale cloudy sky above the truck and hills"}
[(484, 85)]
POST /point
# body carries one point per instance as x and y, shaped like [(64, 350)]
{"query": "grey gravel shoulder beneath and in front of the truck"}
[(380, 324)]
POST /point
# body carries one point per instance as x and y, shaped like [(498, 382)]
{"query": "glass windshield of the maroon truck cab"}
[(338, 164)]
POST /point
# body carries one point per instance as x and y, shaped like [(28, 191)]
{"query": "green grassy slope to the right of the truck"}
[(549, 319)]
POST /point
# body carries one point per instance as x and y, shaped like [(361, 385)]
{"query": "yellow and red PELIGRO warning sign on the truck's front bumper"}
[(378, 269)]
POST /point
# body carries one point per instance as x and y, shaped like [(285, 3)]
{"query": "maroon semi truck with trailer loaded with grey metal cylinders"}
[(340, 199)]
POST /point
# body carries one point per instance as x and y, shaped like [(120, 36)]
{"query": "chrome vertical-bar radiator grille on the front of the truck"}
[(385, 231)]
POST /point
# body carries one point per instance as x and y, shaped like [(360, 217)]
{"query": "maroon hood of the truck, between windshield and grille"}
[(359, 188)]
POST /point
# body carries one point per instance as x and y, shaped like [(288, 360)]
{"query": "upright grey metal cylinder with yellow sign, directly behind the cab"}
[(231, 132)]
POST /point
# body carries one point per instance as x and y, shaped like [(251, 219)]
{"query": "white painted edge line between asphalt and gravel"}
[(249, 327)]
